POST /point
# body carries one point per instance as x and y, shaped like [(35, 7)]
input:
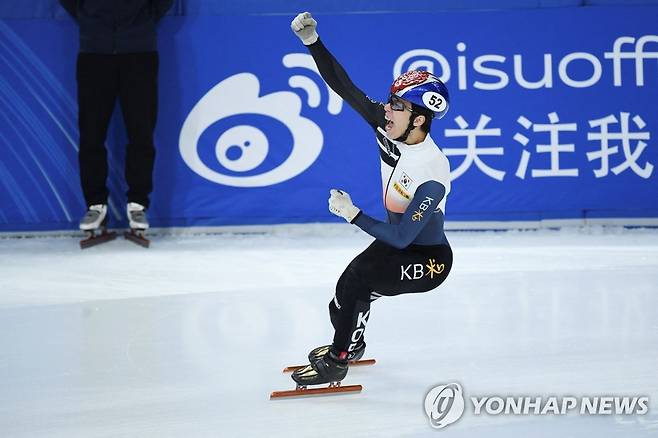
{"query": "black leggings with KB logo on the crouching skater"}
[(382, 270)]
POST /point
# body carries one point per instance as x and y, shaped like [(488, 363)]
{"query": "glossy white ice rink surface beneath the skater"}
[(188, 338)]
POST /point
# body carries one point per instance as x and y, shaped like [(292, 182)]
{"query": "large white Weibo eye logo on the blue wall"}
[(241, 150)]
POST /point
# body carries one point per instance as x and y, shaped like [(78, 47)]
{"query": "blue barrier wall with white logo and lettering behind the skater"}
[(553, 115)]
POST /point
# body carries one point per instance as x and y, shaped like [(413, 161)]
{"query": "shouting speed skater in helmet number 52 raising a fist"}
[(411, 252)]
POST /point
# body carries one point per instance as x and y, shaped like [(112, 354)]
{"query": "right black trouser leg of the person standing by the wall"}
[(139, 105)]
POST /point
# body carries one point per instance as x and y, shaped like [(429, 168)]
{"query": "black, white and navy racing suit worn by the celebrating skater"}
[(411, 252)]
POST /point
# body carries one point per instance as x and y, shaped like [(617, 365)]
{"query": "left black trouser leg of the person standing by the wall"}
[(97, 78)]
